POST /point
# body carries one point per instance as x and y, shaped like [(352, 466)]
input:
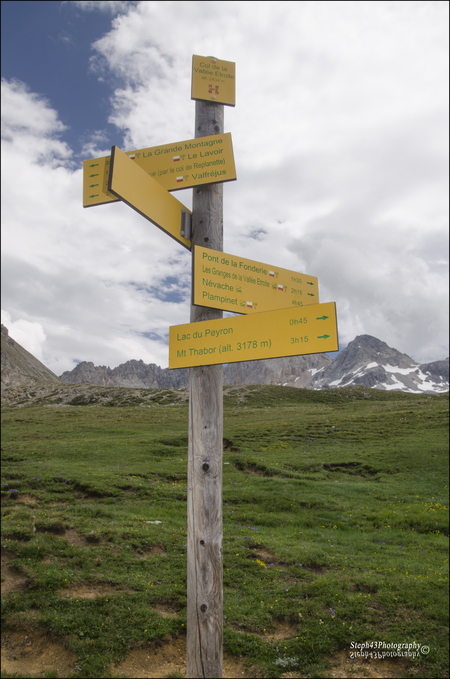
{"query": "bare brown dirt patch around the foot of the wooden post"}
[(163, 659)]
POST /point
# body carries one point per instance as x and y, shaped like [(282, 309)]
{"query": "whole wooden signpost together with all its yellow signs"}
[(282, 317)]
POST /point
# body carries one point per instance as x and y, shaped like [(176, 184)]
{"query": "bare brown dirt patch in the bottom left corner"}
[(33, 650)]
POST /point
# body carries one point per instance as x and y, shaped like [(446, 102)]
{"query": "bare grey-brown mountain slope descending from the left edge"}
[(19, 367)]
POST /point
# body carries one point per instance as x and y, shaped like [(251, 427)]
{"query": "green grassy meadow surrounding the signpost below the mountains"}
[(335, 523)]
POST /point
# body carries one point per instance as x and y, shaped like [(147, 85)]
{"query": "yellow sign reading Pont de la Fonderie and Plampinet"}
[(231, 283)]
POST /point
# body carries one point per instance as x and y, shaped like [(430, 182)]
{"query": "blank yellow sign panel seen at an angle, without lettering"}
[(135, 187)]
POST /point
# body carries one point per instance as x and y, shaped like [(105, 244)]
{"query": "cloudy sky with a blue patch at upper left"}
[(340, 140)]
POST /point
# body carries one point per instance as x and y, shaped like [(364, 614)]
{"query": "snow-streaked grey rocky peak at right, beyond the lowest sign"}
[(372, 363)]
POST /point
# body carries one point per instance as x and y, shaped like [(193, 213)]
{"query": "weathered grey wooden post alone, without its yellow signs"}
[(205, 532)]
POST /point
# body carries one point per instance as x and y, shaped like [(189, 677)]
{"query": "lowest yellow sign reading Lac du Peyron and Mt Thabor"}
[(271, 334)]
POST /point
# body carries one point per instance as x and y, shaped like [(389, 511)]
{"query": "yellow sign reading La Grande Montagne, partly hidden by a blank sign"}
[(181, 165)]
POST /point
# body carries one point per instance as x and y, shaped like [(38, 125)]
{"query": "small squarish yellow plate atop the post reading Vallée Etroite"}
[(214, 80)]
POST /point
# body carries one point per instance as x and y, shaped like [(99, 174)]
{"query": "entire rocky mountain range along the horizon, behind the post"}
[(366, 361)]
